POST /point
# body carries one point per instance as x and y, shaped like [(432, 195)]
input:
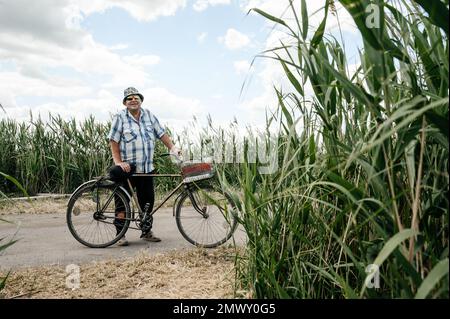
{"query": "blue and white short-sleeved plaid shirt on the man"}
[(136, 138)]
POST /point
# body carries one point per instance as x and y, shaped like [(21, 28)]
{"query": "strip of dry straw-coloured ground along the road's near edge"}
[(185, 274)]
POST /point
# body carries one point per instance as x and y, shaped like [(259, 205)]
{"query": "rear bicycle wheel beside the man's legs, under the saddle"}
[(91, 215)]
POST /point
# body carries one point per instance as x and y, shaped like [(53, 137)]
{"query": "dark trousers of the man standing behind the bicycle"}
[(145, 193)]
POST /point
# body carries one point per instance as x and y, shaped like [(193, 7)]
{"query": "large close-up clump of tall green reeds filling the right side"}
[(364, 169)]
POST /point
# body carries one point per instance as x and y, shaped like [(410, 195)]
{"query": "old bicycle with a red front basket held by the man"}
[(204, 216)]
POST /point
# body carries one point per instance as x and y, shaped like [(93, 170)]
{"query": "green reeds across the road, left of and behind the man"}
[(58, 155)]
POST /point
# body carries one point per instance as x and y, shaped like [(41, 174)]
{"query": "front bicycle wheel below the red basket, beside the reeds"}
[(205, 217)]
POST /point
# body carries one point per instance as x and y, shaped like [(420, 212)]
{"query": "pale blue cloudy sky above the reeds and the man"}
[(189, 58)]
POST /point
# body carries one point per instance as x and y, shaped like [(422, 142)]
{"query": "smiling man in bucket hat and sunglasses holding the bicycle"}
[(132, 139)]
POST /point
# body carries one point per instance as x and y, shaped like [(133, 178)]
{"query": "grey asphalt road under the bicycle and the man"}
[(44, 239)]
